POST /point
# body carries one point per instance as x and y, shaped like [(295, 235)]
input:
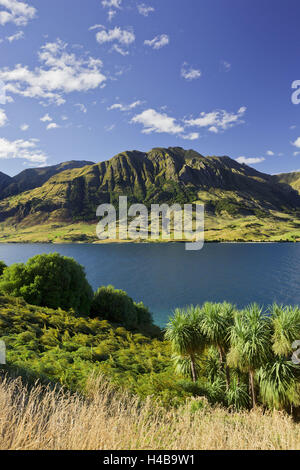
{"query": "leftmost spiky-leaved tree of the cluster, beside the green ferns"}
[(188, 342)]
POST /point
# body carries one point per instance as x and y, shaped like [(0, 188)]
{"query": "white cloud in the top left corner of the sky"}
[(17, 12)]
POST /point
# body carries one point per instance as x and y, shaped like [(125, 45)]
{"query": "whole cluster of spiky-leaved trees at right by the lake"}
[(248, 348)]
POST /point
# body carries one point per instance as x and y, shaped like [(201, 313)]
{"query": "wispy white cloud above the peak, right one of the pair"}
[(217, 120)]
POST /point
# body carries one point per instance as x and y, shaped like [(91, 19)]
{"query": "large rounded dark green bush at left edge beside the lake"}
[(49, 280)]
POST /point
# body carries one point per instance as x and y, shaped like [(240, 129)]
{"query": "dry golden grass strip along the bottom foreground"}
[(107, 420)]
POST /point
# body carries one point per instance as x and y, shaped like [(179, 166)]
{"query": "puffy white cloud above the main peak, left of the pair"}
[(153, 121)]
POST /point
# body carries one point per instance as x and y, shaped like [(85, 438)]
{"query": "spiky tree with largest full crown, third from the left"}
[(251, 336)]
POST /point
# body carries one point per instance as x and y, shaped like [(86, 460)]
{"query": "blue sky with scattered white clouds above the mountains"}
[(89, 79)]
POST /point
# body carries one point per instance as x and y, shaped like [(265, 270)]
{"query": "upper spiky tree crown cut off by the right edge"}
[(286, 328)]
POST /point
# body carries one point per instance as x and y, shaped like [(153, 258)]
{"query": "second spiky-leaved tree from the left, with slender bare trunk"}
[(216, 321)]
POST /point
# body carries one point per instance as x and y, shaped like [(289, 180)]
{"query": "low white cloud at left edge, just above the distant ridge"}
[(23, 149)]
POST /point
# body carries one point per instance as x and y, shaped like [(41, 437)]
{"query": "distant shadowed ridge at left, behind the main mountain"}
[(34, 177)]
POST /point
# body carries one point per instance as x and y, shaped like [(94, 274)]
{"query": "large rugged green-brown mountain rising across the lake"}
[(229, 190)]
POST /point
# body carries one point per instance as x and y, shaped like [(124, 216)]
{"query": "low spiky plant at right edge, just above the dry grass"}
[(279, 383)]
